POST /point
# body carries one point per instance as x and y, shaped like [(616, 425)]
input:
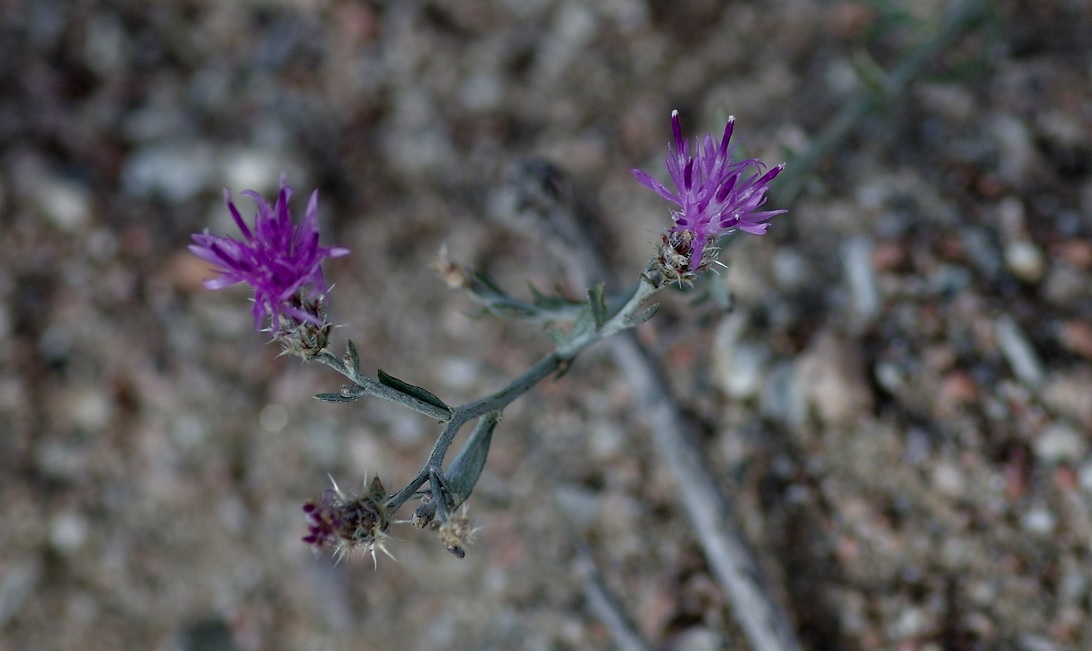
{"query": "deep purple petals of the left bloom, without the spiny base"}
[(281, 262)]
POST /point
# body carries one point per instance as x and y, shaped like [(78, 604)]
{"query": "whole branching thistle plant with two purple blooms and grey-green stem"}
[(282, 263)]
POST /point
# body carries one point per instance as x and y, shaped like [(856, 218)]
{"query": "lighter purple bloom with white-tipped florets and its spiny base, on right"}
[(716, 196)]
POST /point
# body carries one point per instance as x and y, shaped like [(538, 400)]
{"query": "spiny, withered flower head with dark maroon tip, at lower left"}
[(349, 523)]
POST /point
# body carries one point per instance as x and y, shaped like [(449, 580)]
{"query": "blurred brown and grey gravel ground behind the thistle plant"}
[(899, 399)]
